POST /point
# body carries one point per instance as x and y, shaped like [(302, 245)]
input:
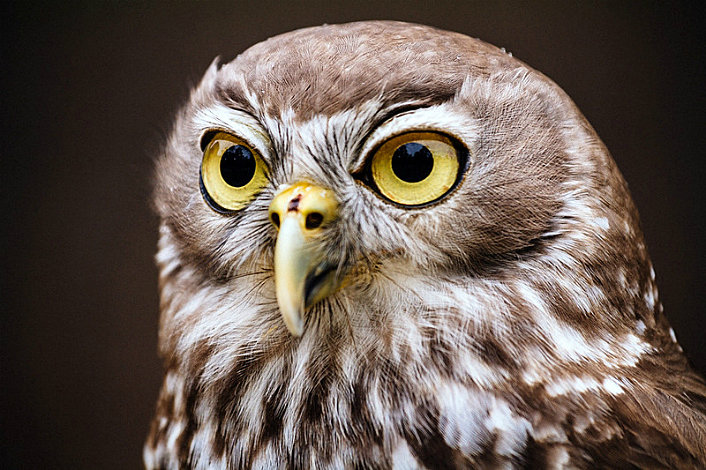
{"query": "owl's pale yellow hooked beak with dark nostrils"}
[(303, 274)]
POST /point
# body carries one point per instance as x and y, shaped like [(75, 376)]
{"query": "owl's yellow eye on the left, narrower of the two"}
[(232, 173)]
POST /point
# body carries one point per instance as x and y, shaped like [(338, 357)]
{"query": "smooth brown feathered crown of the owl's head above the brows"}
[(330, 69)]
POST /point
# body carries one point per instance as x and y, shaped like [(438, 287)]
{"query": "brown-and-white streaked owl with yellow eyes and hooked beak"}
[(383, 245)]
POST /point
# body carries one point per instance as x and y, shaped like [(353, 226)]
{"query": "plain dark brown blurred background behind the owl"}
[(88, 94)]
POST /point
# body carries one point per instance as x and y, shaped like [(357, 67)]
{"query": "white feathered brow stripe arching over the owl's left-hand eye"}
[(243, 125)]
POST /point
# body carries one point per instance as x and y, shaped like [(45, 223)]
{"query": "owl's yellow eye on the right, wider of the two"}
[(416, 168)]
